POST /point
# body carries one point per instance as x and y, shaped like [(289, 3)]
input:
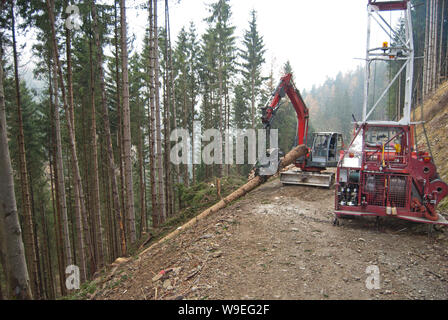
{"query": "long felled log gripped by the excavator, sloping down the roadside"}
[(288, 159)]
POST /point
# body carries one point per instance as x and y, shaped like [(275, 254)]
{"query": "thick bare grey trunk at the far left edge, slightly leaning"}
[(17, 279)]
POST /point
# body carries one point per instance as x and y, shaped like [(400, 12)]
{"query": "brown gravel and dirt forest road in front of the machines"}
[(279, 242)]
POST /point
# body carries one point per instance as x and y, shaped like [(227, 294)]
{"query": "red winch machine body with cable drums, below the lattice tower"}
[(383, 174)]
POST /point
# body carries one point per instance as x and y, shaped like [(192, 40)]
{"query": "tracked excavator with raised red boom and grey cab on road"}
[(324, 149)]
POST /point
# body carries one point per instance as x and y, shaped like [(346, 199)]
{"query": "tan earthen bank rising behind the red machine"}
[(435, 113)]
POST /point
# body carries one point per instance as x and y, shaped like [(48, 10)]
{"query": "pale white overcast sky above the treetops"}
[(320, 38)]
